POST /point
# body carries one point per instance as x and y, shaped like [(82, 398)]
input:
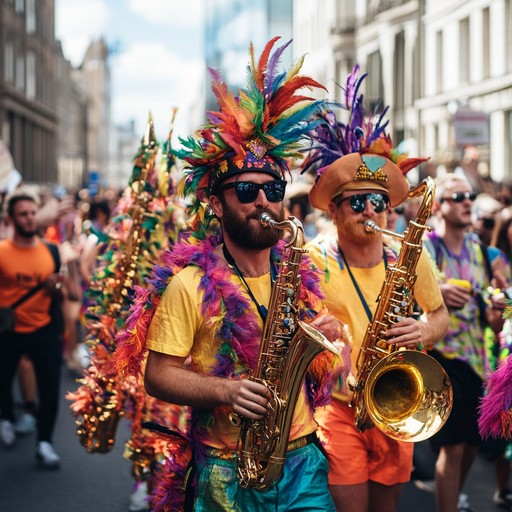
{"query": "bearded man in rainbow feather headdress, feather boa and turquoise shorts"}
[(215, 305)]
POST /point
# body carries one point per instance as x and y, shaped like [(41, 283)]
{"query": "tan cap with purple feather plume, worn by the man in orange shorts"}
[(357, 155)]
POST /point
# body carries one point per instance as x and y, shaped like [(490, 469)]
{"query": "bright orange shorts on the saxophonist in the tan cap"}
[(355, 457)]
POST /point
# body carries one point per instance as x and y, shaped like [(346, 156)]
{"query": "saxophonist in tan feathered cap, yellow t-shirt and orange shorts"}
[(358, 180)]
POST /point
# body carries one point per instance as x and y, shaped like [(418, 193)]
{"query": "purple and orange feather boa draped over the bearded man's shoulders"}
[(232, 322)]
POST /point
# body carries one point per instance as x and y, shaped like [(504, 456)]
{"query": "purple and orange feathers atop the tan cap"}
[(363, 132)]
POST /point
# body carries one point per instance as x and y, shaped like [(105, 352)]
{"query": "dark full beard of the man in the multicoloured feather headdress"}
[(245, 234)]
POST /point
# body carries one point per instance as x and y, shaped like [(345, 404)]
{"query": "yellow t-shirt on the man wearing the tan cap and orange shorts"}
[(342, 299)]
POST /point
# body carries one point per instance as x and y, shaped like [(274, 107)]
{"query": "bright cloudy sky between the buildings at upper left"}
[(157, 60)]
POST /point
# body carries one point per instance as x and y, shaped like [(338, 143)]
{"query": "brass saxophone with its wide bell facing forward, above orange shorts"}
[(405, 393)]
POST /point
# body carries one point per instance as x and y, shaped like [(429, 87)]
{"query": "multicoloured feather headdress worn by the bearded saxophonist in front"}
[(259, 129)]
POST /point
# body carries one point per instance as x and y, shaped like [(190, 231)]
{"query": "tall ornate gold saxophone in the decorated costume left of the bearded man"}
[(97, 423)]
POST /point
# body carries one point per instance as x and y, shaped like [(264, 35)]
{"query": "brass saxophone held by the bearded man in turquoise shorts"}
[(287, 348)]
